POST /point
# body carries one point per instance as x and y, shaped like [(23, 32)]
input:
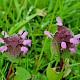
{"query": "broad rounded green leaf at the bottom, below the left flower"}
[(22, 74)]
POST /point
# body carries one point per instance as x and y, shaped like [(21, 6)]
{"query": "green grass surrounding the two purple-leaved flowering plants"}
[(35, 16)]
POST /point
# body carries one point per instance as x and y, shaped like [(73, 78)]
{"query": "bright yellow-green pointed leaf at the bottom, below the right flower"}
[(51, 74)]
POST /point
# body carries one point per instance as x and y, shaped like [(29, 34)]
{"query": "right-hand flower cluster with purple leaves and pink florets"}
[(65, 37)]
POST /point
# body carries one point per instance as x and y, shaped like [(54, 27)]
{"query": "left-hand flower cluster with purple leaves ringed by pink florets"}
[(16, 43)]
